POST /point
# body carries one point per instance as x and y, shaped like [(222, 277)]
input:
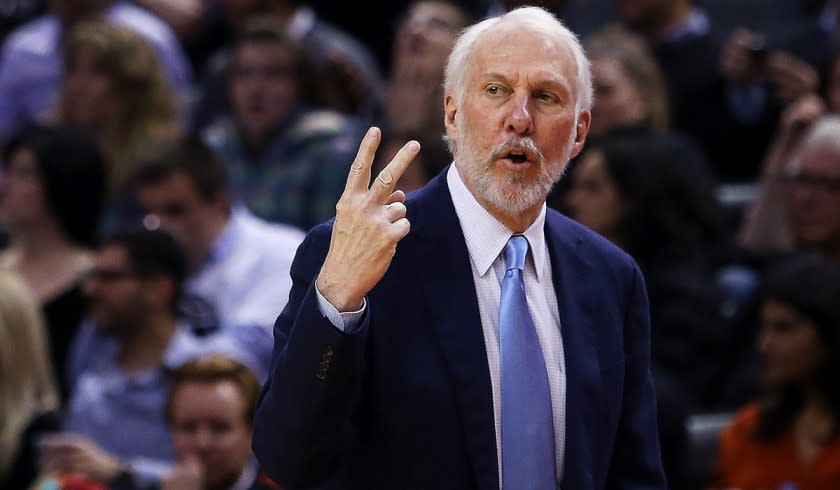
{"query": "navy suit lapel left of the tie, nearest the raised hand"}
[(450, 292)]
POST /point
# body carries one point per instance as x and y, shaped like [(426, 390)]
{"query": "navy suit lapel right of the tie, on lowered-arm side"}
[(574, 297)]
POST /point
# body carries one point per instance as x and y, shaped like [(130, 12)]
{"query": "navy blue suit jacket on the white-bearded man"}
[(405, 402)]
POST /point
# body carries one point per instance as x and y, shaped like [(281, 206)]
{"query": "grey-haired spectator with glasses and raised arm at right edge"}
[(797, 207)]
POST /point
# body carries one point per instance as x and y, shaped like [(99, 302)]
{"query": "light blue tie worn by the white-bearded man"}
[(527, 425)]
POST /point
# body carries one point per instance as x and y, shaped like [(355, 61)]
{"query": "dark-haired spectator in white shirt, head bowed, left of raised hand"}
[(238, 264)]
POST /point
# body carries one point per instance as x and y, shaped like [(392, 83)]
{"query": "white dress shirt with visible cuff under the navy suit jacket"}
[(486, 238)]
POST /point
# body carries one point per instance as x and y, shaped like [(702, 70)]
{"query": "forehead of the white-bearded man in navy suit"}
[(517, 52)]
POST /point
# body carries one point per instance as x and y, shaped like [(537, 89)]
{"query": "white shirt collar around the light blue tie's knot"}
[(486, 236)]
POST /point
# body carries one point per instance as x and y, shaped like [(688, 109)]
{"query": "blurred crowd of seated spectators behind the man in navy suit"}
[(163, 159)]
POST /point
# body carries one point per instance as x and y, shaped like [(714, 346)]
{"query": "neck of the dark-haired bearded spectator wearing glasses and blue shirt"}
[(144, 350)]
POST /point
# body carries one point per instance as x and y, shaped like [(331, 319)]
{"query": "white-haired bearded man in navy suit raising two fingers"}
[(432, 371)]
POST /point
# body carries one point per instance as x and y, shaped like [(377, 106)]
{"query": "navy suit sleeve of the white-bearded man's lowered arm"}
[(636, 463)]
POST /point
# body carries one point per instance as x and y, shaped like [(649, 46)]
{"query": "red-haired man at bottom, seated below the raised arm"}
[(210, 412)]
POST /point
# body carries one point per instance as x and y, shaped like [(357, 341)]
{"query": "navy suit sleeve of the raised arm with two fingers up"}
[(303, 421)]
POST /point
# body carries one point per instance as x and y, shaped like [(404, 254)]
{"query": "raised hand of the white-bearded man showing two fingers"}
[(369, 222)]
